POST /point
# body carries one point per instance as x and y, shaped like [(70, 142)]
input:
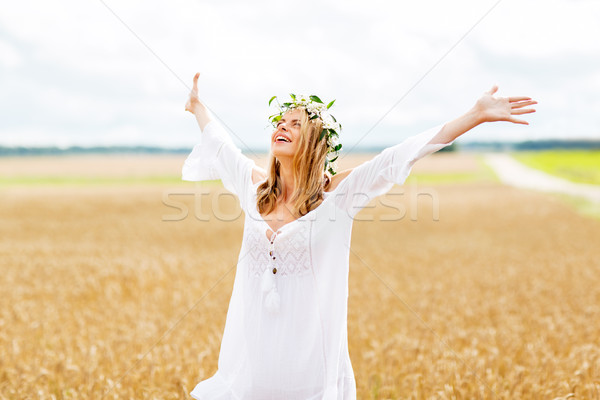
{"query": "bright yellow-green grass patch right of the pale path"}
[(577, 166)]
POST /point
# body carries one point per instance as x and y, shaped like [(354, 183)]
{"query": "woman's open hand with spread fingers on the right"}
[(490, 108)]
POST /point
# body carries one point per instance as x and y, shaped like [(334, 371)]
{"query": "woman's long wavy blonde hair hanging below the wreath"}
[(309, 178)]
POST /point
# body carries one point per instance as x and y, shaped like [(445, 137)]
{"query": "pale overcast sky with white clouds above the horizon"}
[(102, 72)]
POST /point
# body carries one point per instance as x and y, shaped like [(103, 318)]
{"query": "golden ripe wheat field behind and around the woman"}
[(472, 291)]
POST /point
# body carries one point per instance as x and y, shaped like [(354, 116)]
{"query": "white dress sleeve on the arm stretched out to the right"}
[(378, 175)]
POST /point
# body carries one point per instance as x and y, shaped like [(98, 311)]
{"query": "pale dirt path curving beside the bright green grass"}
[(514, 173)]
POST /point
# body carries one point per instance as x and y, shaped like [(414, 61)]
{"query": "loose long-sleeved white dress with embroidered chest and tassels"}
[(285, 334)]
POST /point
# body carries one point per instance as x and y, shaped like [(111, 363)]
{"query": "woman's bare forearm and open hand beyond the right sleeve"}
[(487, 109)]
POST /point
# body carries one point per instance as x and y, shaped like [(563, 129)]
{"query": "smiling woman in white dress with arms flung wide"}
[(286, 330)]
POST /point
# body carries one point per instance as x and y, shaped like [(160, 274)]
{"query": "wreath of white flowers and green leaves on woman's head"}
[(316, 109)]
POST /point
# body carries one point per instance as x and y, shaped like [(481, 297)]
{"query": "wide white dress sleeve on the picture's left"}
[(217, 157)]
